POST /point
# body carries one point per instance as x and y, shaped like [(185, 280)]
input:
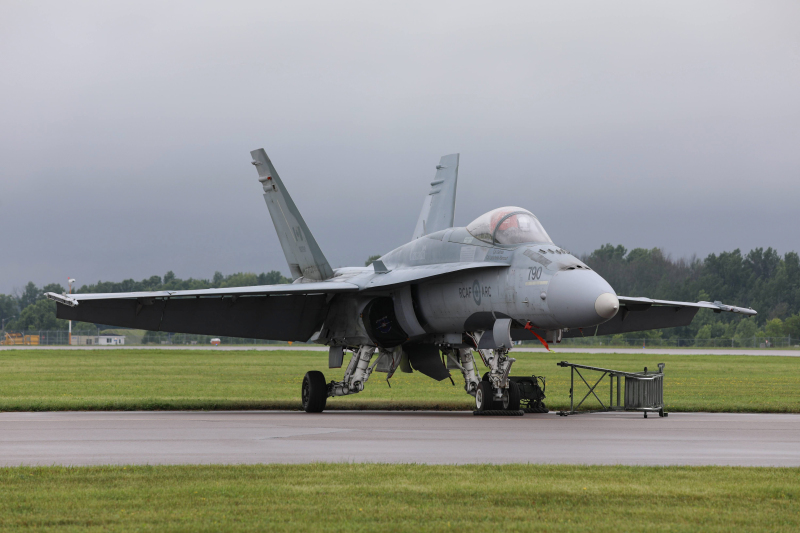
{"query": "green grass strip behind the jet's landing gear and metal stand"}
[(35, 380)]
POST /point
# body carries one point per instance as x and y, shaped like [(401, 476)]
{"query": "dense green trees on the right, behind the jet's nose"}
[(762, 279)]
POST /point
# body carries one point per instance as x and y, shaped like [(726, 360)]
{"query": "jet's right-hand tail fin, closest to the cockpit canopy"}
[(439, 207)]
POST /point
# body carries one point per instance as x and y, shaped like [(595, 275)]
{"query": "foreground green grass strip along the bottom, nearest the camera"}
[(369, 497)]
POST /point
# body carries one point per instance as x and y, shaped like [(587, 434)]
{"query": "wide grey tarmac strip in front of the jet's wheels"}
[(91, 438)]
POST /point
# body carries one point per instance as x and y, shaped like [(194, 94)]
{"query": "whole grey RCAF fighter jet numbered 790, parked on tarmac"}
[(425, 306)]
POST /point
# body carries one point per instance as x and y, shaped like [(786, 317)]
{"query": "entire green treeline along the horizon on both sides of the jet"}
[(761, 279)]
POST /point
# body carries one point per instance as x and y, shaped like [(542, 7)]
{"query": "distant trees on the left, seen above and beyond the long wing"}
[(29, 310)]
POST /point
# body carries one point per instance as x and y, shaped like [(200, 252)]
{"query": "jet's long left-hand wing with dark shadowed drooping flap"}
[(277, 312)]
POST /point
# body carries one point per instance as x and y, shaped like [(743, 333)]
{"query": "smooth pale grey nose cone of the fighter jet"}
[(581, 298)]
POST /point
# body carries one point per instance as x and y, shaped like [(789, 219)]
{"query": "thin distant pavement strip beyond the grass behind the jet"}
[(556, 349)]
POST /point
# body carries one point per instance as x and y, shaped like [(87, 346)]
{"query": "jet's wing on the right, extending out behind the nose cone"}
[(640, 314)]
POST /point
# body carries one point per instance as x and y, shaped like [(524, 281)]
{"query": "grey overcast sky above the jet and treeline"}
[(126, 127)]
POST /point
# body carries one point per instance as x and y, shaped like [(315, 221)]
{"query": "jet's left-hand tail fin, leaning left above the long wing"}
[(300, 248)]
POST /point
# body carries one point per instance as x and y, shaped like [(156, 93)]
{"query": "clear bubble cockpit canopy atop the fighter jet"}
[(508, 225)]
